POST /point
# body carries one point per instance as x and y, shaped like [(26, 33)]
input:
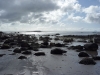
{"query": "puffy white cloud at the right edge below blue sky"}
[(92, 14)]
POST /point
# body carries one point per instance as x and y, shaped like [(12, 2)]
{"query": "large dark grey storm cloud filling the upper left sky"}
[(14, 10)]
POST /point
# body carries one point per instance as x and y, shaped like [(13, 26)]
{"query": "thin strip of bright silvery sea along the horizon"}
[(61, 33)]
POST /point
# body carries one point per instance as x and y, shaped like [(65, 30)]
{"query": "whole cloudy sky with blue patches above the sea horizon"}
[(50, 15)]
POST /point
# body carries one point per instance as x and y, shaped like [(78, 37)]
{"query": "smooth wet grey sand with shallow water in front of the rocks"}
[(66, 64)]
